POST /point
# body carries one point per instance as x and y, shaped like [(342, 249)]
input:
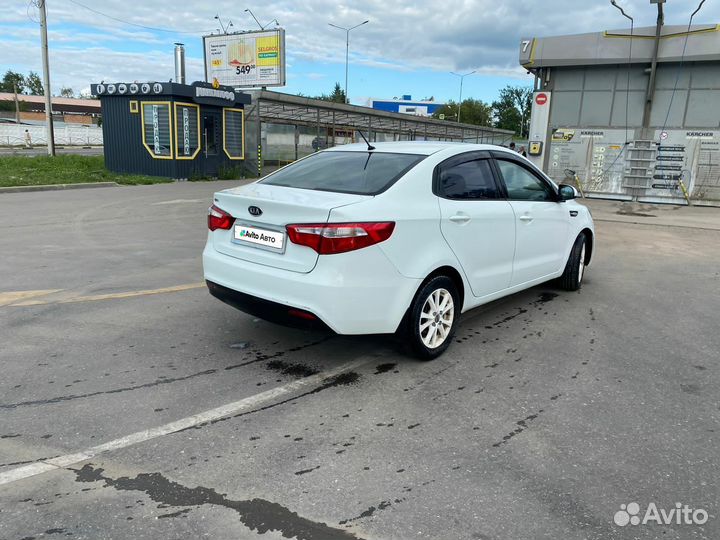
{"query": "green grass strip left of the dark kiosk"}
[(64, 169)]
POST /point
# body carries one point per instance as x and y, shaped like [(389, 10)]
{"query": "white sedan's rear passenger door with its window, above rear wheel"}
[(476, 221)]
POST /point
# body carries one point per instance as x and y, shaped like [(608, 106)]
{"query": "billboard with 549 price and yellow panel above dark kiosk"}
[(246, 59)]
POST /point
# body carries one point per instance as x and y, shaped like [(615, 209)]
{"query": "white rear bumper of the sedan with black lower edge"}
[(359, 292)]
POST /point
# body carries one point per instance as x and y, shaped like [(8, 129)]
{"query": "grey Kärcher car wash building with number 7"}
[(636, 114)]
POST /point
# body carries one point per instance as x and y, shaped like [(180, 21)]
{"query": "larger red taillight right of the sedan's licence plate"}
[(330, 238)]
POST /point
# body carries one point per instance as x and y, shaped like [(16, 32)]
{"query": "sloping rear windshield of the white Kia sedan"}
[(363, 173)]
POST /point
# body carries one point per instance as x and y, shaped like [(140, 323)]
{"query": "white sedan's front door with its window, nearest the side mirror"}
[(542, 223)]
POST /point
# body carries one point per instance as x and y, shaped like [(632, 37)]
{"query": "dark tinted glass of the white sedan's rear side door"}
[(470, 180)]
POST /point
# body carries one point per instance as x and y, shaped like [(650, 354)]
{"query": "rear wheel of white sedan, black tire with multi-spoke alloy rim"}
[(428, 331)]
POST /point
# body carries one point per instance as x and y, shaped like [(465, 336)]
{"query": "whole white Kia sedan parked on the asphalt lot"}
[(394, 238)]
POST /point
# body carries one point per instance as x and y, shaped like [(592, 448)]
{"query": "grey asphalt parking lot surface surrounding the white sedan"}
[(135, 405)]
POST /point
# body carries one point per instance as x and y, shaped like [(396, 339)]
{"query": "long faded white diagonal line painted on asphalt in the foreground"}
[(229, 409)]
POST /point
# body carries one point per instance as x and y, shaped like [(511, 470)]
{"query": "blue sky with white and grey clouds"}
[(406, 48)]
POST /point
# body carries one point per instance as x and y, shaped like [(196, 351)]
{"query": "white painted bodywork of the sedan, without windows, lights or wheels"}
[(497, 247)]
